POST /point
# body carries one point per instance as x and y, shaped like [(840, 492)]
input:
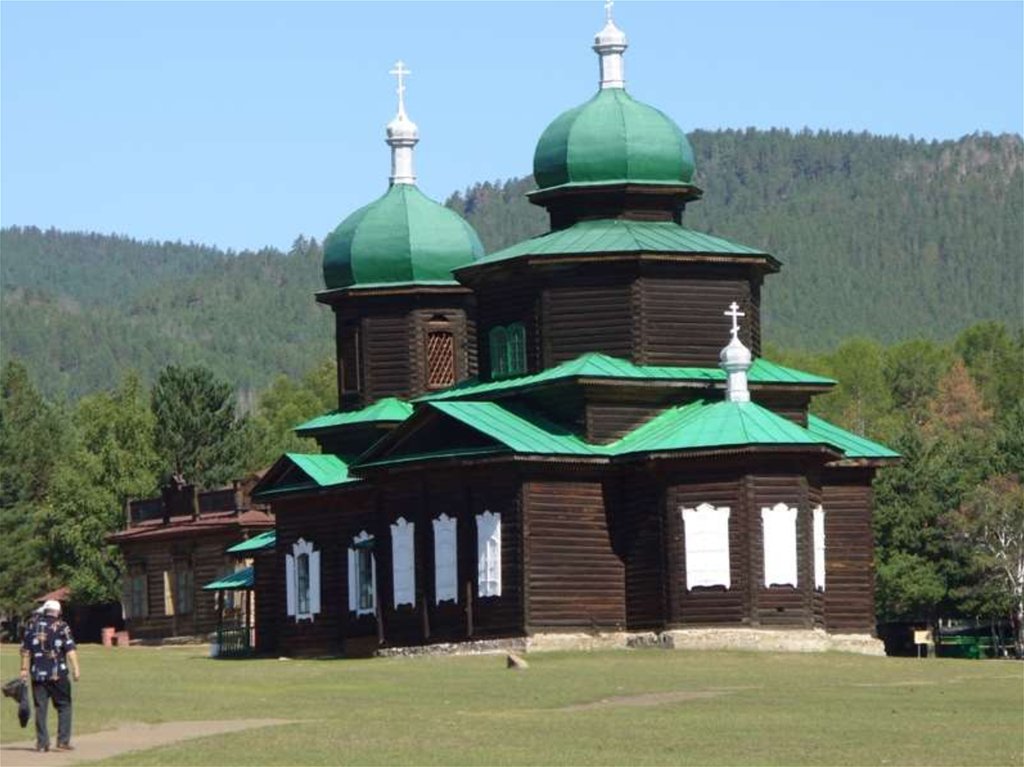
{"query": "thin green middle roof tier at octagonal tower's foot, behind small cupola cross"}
[(596, 365)]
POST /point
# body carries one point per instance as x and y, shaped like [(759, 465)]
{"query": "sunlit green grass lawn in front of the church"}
[(660, 707)]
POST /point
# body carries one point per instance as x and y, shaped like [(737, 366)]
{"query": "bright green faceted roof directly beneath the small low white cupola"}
[(706, 425)]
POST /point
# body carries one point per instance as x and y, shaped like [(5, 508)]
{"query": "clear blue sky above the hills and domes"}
[(246, 124)]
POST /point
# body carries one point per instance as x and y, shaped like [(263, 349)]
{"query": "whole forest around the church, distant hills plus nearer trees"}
[(124, 362)]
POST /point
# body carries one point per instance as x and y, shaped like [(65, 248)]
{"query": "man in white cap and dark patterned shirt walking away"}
[(48, 655)]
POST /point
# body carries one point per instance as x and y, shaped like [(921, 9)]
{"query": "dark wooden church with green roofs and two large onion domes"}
[(577, 434)]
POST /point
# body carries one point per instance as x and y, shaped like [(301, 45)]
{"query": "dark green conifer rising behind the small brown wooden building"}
[(198, 434)]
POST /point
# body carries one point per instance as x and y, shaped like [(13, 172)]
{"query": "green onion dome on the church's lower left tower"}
[(404, 237)]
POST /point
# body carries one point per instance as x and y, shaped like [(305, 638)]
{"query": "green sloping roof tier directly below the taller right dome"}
[(621, 236)]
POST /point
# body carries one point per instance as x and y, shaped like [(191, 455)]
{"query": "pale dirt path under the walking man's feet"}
[(129, 738)]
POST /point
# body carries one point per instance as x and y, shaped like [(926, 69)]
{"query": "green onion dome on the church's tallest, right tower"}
[(613, 139)]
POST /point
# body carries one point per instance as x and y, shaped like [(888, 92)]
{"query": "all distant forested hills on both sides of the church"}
[(881, 237)]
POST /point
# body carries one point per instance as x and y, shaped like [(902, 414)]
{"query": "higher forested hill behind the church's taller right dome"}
[(881, 237)]
